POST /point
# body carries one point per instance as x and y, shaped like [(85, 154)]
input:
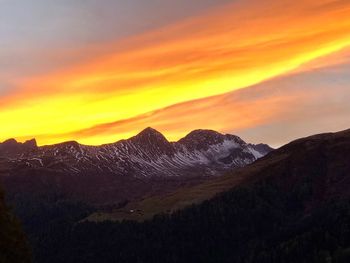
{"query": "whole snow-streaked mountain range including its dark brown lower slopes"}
[(146, 163)]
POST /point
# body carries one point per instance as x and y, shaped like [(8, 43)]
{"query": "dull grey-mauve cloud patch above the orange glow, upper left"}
[(39, 35)]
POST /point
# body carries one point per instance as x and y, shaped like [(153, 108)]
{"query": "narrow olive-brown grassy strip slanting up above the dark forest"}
[(150, 206)]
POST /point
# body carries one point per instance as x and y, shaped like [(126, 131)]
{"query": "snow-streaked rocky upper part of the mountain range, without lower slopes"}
[(148, 154)]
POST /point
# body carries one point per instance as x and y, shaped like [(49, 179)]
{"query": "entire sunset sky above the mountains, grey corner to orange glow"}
[(99, 71)]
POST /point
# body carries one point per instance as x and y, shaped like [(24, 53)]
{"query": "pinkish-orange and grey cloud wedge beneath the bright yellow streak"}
[(274, 112)]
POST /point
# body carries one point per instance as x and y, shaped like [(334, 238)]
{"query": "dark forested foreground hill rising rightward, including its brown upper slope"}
[(291, 206)]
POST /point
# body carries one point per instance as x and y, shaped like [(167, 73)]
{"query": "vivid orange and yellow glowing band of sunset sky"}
[(167, 77)]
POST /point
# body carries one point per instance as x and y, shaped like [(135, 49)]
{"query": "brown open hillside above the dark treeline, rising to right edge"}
[(317, 166)]
